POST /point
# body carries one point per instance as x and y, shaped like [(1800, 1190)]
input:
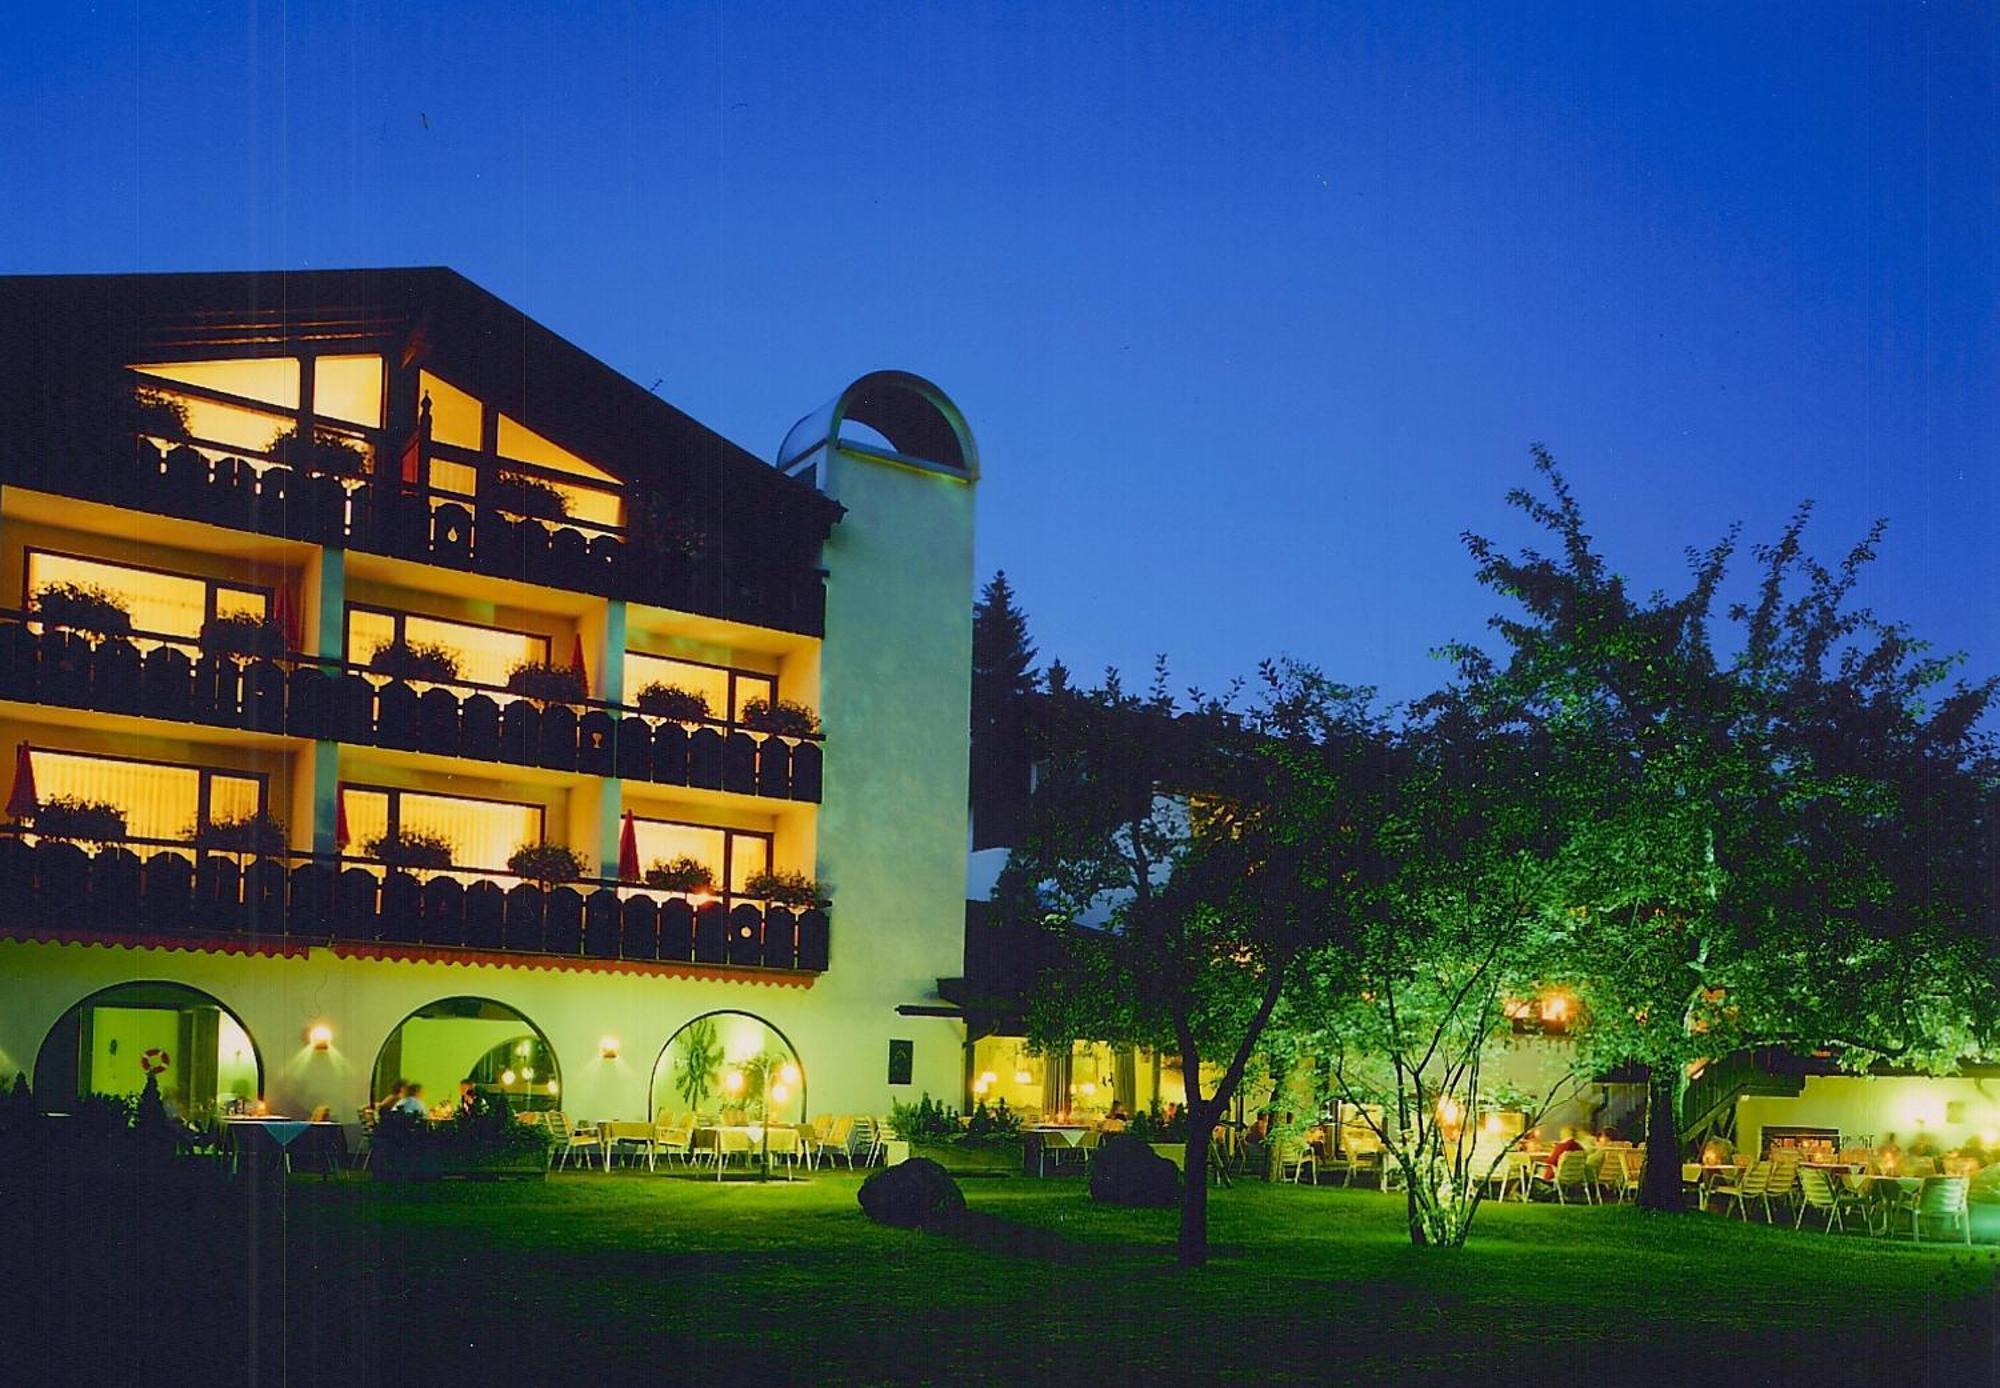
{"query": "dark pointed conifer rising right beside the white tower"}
[(1003, 683)]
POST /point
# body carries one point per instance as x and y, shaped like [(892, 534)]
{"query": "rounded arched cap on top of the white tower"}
[(895, 417)]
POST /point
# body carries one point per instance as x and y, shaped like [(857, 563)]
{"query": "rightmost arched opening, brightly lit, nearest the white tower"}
[(731, 1065)]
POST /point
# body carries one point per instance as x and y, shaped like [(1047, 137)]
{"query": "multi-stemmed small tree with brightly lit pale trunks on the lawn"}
[(1405, 1009)]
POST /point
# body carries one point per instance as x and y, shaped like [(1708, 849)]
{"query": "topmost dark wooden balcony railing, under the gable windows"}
[(383, 515)]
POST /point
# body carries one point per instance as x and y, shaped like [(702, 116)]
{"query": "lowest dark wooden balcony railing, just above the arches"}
[(159, 889)]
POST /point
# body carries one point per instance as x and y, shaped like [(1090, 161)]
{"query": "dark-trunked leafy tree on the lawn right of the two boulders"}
[(1181, 881)]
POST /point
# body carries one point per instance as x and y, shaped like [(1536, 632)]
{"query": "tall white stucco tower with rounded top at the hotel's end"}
[(895, 689)]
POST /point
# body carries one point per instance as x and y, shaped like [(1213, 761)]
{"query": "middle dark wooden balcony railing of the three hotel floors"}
[(307, 697)]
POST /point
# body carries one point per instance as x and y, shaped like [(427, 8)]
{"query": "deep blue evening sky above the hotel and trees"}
[(1253, 309)]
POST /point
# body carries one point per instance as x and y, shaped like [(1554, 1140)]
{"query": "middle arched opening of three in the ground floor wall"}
[(453, 1041)]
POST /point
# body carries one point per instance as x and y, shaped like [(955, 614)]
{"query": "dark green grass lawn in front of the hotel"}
[(621, 1279)]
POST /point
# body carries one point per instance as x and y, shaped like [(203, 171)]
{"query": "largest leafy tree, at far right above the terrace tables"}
[(1757, 845)]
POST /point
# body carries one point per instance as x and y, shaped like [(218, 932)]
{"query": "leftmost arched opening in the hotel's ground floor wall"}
[(111, 1041)]
